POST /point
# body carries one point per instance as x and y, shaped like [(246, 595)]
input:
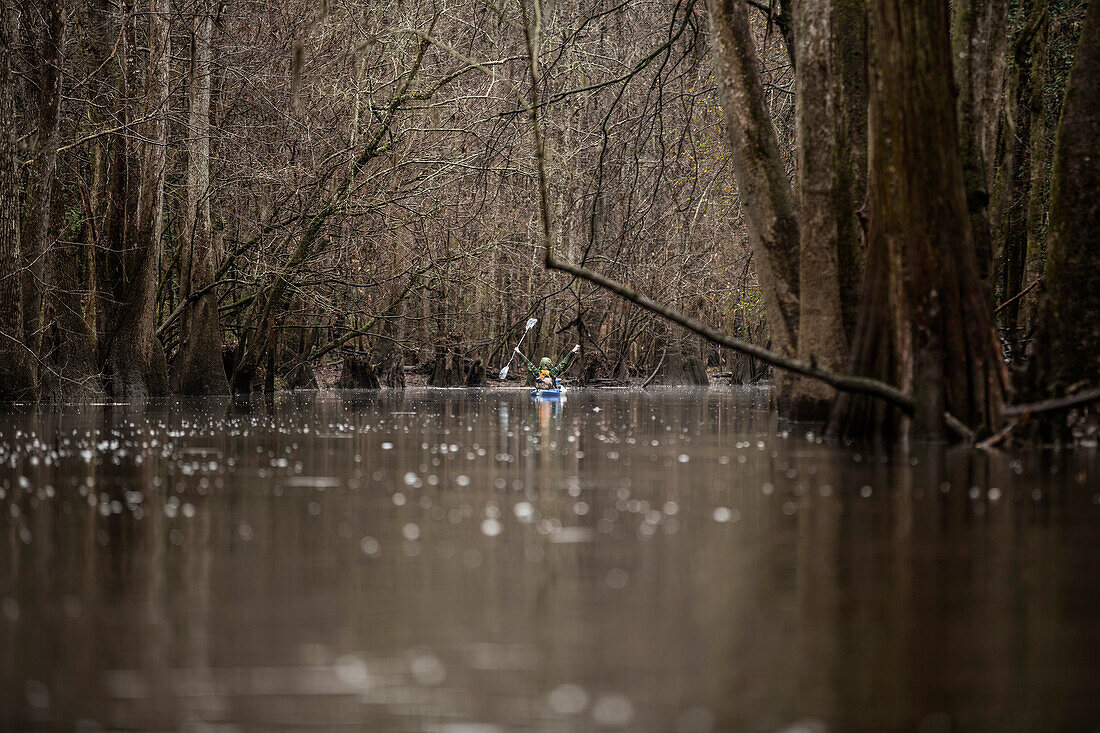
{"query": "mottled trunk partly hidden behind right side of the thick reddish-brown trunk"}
[(978, 46)]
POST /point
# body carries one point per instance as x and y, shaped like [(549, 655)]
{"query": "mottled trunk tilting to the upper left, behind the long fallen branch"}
[(763, 184)]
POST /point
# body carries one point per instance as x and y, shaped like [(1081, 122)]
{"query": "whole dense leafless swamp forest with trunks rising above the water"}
[(200, 198)]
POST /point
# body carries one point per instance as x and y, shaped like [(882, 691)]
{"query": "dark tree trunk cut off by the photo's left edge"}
[(17, 378)]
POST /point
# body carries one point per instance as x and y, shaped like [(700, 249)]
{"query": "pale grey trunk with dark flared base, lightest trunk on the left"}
[(197, 369)]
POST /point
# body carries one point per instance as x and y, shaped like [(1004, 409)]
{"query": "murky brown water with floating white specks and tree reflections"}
[(477, 563)]
